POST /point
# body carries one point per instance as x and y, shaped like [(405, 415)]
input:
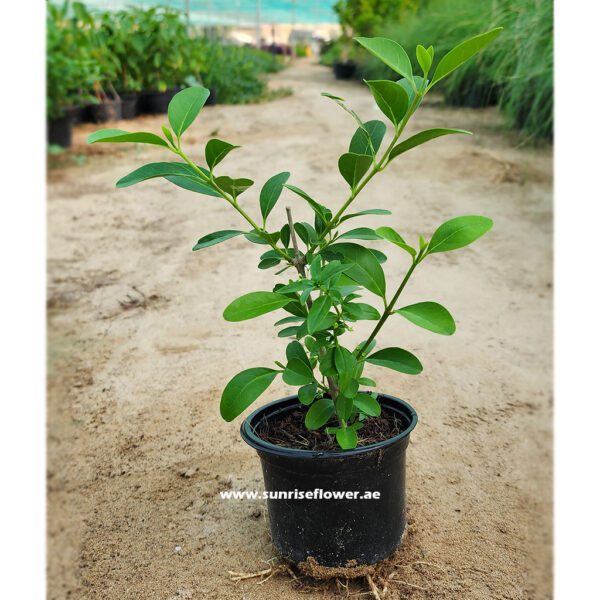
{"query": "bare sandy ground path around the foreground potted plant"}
[(134, 386)]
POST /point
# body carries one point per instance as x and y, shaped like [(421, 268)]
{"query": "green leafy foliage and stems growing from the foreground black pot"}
[(327, 269)]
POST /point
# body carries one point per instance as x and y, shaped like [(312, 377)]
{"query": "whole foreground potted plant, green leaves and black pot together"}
[(336, 435)]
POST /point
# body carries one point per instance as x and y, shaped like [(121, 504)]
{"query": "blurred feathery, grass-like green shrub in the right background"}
[(516, 75)]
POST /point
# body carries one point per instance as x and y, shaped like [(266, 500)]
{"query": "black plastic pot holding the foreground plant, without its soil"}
[(335, 531)]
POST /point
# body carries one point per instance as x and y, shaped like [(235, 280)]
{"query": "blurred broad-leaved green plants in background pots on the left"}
[(133, 50)]
